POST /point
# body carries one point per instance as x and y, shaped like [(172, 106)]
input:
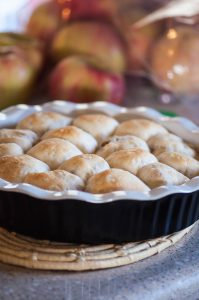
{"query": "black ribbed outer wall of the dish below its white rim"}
[(78, 221)]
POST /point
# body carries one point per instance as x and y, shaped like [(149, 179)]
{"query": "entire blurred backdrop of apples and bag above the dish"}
[(92, 50)]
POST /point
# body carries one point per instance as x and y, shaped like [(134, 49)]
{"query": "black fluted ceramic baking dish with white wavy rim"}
[(80, 217)]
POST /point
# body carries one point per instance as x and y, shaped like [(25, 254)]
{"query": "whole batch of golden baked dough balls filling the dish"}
[(94, 153)]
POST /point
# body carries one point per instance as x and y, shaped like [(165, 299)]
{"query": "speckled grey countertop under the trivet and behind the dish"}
[(172, 274)]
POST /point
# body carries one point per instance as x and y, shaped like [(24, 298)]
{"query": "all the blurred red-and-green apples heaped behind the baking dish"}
[(81, 50)]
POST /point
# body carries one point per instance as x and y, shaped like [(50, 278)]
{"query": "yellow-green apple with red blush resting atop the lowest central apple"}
[(96, 40)]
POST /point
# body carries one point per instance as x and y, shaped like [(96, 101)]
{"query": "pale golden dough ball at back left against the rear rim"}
[(41, 122)]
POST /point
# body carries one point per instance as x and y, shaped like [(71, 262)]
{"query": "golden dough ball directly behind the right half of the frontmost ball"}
[(130, 160)]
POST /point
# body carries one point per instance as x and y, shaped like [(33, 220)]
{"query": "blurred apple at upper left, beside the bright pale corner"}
[(44, 21)]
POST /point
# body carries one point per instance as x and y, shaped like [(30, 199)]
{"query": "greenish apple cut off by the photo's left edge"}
[(21, 59)]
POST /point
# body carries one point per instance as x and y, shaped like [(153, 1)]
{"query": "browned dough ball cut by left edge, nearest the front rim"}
[(15, 168)]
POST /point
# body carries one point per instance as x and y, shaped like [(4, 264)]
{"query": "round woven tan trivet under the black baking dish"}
[(26, 252)]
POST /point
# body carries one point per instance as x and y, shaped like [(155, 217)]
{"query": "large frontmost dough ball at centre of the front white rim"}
[(114, 180)]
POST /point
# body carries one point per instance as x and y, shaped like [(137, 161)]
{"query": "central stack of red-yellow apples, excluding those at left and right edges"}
[(88, 52)]
